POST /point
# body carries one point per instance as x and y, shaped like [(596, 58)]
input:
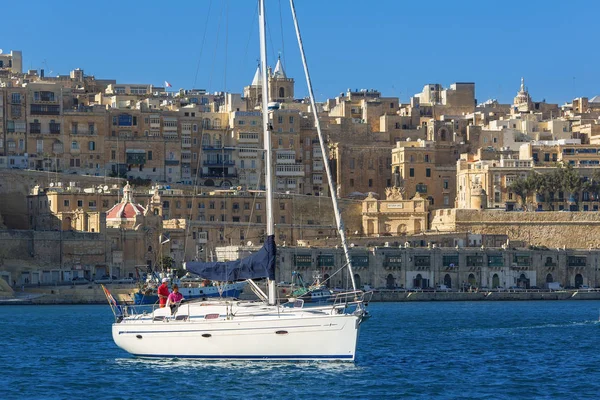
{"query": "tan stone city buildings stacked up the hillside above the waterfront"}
[(402, 169)]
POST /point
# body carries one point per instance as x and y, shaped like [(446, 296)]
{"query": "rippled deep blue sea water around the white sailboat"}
[(435, 350)]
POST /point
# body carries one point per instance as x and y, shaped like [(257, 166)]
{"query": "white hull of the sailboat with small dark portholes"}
[(252, 332)]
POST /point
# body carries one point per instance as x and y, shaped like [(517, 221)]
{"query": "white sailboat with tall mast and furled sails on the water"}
[(229, 329)]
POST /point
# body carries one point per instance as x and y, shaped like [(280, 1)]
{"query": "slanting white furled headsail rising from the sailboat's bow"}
[(332, 191)]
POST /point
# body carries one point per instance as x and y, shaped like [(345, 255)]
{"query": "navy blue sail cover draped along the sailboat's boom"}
[(258, 265)]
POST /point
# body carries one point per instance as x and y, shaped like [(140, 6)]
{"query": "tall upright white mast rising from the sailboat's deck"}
[(267, 136)]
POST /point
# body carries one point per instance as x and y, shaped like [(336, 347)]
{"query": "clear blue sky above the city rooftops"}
[(390, 45)]
